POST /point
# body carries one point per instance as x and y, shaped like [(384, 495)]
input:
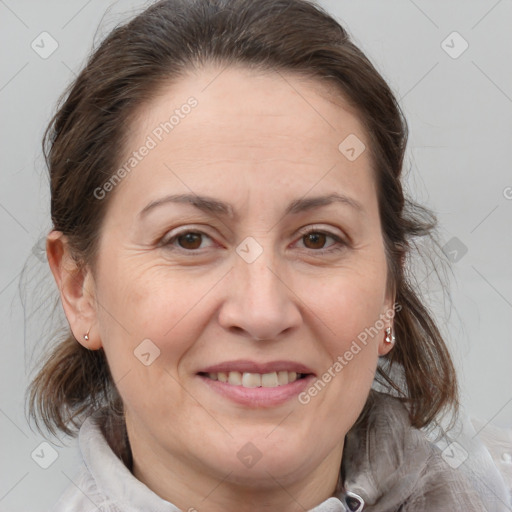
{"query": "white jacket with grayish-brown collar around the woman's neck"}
[(387, 466)]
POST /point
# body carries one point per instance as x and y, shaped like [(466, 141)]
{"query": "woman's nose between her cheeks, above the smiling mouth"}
[(261, 303)]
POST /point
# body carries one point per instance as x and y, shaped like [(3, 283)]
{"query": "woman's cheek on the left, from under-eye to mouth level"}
[(147, 328)]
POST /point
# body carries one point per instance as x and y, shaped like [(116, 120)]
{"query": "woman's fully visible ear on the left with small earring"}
[(76, 287)]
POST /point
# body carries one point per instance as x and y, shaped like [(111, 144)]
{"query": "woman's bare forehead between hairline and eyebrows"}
[(267, 127)]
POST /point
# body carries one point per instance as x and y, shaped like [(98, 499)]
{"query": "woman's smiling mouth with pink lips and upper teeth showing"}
[(257, 385)]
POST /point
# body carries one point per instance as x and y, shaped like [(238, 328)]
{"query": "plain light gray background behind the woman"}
[(460, 115)]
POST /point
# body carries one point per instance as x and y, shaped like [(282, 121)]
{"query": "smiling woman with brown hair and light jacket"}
[(230, 241)]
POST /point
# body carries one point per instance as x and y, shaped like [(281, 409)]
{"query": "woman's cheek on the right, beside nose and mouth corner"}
[(351, 317)]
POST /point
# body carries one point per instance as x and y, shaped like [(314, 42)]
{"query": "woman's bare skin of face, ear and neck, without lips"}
[(256, 140)]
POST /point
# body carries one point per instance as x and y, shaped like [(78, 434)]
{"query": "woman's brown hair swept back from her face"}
[(85, 139)]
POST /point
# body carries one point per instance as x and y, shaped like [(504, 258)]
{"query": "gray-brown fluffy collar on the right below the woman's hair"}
[(394, 467)]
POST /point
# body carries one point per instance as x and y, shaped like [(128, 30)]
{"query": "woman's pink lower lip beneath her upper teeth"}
[(259, 397)]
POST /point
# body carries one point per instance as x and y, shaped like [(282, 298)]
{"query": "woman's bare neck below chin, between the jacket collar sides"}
[(193, 487)]
